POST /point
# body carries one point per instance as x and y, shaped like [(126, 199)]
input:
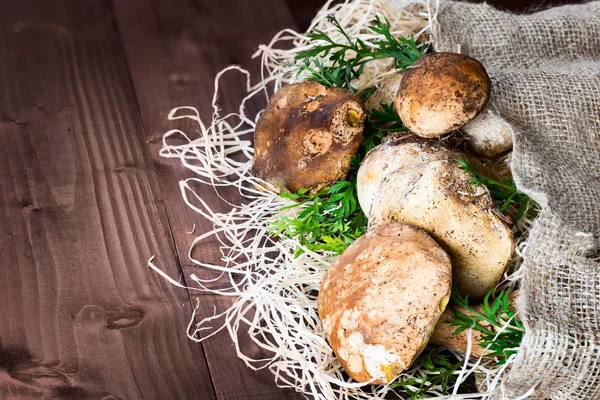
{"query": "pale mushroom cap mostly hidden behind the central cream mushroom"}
[(394, 153)]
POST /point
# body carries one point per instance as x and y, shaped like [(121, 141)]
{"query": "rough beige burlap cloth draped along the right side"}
[(545, 69)]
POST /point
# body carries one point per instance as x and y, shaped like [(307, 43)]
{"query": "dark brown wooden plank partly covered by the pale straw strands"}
[(174, 50)]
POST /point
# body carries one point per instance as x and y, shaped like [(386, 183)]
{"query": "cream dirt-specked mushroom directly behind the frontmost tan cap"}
[(438, 197)]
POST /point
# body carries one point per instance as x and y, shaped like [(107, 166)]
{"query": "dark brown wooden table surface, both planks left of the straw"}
[(85, 200)]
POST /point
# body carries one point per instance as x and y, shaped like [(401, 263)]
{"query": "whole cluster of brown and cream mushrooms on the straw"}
[(384, 298)]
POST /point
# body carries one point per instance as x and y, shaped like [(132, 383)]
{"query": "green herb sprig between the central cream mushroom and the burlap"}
[(504, 193)]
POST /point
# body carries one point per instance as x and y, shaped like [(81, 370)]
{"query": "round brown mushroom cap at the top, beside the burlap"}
[(441, 93)]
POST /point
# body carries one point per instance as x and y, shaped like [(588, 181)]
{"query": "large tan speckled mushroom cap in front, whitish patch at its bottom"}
[(380, 300)]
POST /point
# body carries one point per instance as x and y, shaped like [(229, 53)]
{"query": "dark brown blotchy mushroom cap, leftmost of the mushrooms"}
[(307, 135)]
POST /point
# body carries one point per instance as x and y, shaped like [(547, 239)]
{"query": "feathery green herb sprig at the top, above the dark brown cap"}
[(347, 60)]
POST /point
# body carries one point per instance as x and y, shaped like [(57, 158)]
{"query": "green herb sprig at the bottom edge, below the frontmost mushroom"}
[(437, 369)]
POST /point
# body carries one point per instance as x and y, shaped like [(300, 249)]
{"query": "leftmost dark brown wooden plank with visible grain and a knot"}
[(81, 315)]
